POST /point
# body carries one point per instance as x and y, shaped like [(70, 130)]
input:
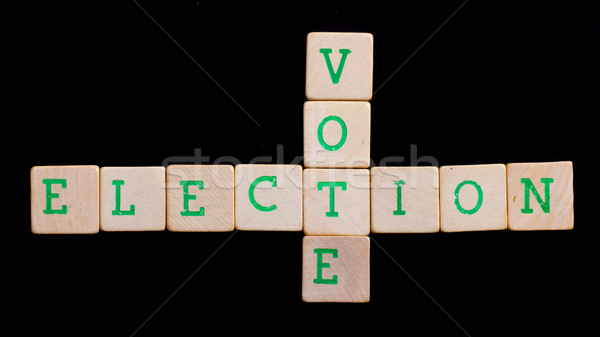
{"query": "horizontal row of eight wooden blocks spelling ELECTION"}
[(206, 198)]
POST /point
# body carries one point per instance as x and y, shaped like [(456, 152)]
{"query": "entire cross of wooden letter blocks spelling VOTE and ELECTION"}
[(335, 199)]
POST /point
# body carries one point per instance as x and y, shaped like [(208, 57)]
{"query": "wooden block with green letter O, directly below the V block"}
[(337, 134)]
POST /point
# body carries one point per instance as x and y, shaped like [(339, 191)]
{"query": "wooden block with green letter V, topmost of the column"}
[(339, 66)]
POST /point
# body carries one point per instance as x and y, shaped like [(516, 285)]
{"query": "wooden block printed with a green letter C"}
[(268, 197)]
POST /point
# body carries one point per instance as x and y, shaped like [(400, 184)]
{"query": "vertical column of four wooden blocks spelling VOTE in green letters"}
[(339, 67)]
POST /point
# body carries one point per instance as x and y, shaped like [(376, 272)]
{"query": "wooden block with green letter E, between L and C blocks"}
[(200, 198)]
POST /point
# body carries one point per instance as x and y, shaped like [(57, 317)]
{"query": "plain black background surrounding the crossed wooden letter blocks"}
[(100, 83)]
